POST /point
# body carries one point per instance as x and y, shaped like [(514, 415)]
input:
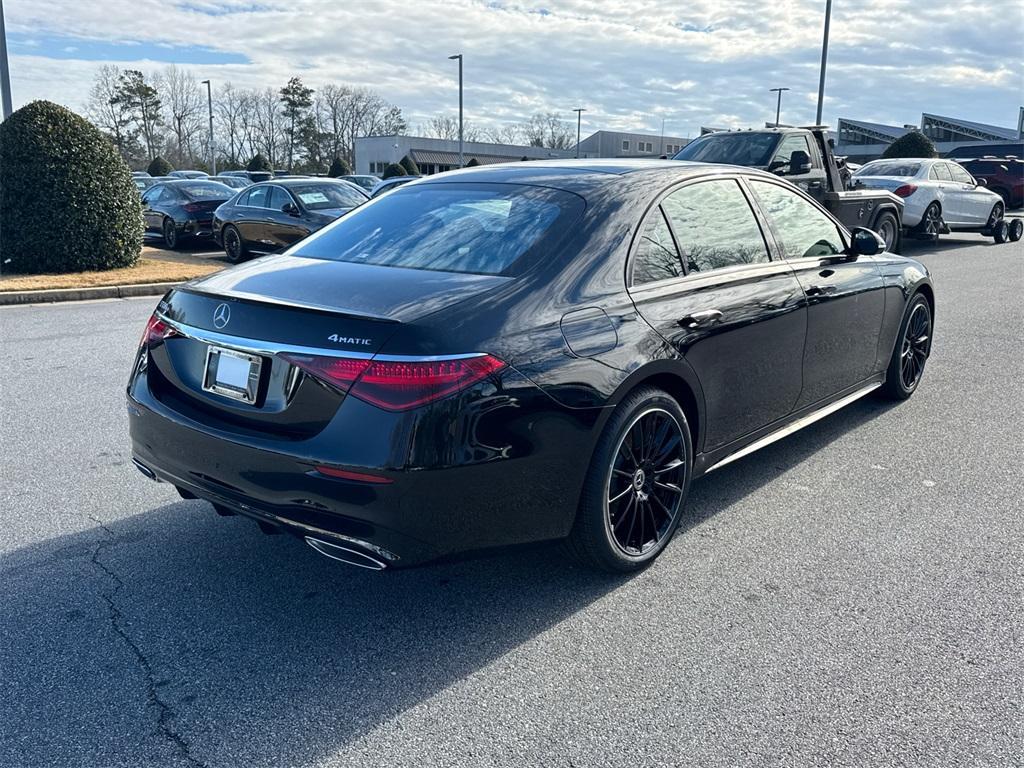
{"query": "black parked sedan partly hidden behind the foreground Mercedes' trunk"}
[(274, 216)]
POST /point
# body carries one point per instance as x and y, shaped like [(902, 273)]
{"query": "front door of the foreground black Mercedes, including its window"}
[(845, 298)]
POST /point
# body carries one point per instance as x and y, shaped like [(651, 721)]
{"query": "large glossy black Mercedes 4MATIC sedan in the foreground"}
[(521, 353)]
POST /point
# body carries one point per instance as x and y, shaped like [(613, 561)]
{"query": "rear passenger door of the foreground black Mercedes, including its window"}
[(740, 326)]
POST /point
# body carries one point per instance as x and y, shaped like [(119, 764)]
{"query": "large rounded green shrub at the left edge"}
[(68, 202)]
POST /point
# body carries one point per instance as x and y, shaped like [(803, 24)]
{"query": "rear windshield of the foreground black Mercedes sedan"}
[(456, 228)]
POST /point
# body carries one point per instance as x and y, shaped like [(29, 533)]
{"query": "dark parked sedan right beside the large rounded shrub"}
[(183, 208)]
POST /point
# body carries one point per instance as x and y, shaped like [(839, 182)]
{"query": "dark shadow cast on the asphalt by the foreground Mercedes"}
[(232, 648)]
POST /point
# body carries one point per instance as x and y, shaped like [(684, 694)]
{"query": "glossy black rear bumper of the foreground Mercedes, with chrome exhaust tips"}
[(521, 493)]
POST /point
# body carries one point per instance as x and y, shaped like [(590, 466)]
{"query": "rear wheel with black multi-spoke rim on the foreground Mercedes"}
[(633, 485)]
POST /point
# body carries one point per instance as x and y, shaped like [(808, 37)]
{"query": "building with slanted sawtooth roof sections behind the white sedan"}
[(862, 141)]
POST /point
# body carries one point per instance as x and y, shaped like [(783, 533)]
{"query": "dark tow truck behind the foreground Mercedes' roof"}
[(804, 157)]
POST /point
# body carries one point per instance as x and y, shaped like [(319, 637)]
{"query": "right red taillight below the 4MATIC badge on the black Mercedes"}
[(399, 386)]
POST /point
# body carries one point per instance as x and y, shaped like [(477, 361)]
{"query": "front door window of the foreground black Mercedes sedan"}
[(804, 230)]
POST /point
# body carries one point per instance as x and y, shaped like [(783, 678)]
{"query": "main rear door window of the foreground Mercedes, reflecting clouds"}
[(715, 226)]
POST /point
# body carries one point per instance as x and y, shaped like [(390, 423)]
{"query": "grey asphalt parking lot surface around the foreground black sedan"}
[(850, 596)]
